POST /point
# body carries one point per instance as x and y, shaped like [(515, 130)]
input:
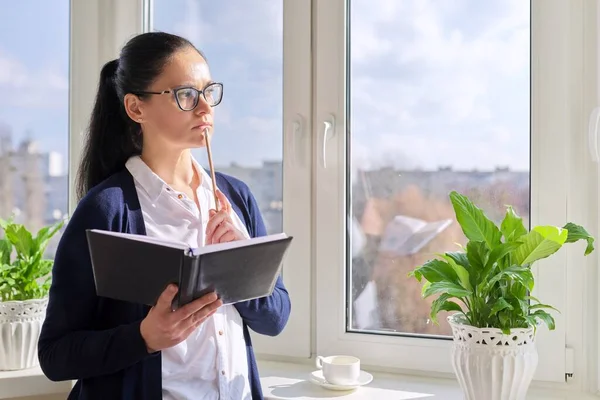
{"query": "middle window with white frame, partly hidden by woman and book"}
[(256, 138)]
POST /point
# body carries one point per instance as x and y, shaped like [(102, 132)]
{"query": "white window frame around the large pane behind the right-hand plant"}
[(551, 116)]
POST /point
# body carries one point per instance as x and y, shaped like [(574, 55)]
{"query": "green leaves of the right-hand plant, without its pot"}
[(491, 277)]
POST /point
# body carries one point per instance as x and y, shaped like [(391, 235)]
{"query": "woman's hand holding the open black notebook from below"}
[(163, 328)]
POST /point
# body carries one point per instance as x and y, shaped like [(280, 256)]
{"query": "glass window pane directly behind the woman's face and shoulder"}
[(242, 41)]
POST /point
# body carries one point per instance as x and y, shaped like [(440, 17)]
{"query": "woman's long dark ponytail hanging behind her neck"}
[(112, 136)]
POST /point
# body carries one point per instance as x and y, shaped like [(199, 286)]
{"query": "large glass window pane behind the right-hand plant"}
[(439, 101)]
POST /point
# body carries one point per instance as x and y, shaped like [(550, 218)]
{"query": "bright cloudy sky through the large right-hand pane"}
[(432, 80)]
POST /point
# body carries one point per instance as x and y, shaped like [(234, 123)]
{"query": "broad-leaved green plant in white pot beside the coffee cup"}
[(488, 283)]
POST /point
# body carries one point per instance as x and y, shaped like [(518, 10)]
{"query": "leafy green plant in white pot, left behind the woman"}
[(24, 285)]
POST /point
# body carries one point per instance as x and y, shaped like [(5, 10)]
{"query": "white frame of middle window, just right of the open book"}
[(295, 340)]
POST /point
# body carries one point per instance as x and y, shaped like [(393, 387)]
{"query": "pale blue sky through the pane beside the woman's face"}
[(243, 41)]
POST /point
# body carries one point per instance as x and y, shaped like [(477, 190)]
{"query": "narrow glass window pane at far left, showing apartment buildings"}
[(34, 114)]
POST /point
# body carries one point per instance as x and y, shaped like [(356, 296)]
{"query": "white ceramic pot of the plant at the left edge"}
[(20, 326)]
